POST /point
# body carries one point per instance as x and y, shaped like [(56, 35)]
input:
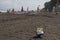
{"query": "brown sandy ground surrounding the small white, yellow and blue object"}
[(21, 27)]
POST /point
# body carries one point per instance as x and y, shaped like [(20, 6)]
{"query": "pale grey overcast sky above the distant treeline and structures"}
[(17, 4)]
